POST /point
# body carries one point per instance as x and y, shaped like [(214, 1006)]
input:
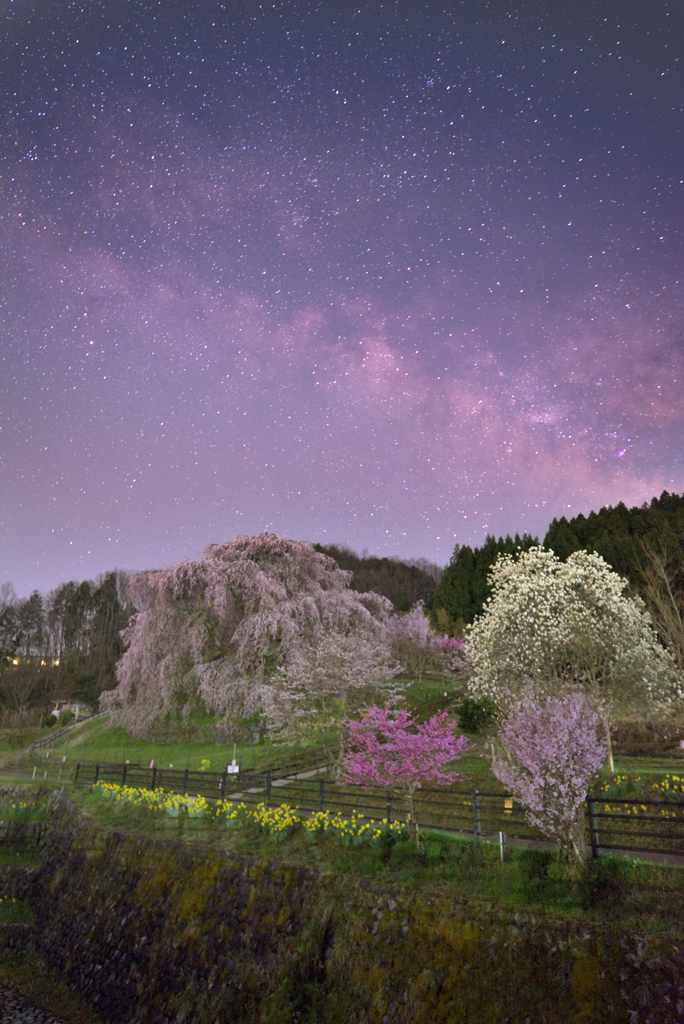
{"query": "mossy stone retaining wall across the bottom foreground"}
[(156, 932)]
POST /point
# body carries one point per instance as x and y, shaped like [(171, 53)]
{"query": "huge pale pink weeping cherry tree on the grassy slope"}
[(258, 627)]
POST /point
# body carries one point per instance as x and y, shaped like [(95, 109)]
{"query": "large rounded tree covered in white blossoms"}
[(569, 623)]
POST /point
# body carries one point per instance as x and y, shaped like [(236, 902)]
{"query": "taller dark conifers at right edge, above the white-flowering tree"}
[(619, 534)]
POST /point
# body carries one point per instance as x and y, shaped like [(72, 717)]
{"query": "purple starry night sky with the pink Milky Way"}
[(394, 276)]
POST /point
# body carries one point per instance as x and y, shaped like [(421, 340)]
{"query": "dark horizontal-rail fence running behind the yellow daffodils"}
[(650, 827)]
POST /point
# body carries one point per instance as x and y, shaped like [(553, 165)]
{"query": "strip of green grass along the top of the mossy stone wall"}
[(632, 894)]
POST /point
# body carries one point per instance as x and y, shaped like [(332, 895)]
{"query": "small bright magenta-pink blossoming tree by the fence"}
[(389, 748)]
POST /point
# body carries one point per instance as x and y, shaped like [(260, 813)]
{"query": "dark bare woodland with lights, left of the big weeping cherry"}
[(63, 645)]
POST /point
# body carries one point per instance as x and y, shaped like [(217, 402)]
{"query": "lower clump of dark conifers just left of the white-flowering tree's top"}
[(464, 587)]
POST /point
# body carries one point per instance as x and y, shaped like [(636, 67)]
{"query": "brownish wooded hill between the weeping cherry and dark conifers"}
[(403, 582)]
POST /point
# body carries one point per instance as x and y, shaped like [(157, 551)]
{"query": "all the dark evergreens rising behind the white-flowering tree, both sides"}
[(634, 542)]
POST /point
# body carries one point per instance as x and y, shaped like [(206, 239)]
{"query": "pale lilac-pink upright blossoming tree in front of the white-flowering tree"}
[(553, 747)]
